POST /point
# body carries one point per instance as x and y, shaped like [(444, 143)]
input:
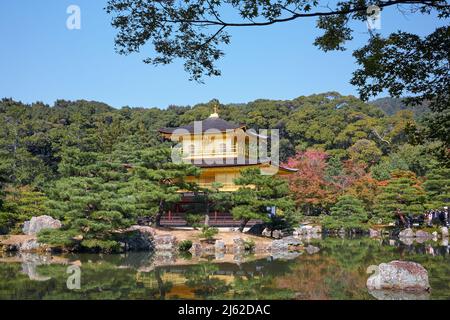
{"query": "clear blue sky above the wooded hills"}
[(41, 60)]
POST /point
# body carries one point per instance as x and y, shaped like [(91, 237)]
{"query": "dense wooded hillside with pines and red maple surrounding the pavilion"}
[(98, 168)]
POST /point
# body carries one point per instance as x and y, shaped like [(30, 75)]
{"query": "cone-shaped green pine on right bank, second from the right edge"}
[(404, 192)]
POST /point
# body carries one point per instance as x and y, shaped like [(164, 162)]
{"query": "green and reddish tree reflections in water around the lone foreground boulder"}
[(339, 271)]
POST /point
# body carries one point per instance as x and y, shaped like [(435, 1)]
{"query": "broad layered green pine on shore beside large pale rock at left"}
[(92, 206)]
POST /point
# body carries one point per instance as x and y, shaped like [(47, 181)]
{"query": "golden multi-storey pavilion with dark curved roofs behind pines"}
[(221, 149)]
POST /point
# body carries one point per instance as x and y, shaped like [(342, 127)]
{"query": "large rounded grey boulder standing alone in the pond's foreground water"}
[(399, 275)]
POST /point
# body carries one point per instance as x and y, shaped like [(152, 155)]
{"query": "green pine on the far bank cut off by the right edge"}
[(437, 186)]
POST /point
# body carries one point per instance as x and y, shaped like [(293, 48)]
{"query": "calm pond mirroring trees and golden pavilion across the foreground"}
[(337, 271)]
